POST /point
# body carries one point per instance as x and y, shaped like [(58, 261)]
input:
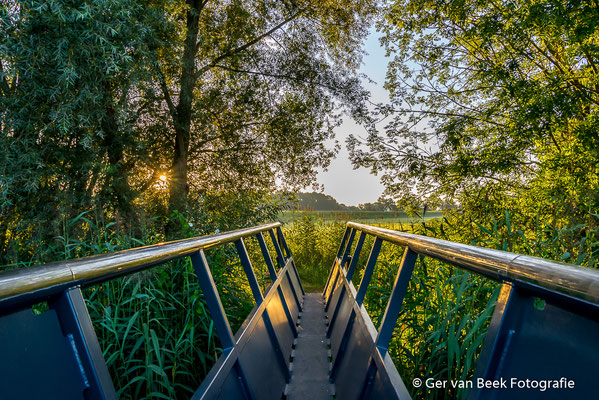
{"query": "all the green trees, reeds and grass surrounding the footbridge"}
[(127, 122)]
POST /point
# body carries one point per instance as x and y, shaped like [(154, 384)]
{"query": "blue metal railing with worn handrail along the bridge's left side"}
[(57, 355)]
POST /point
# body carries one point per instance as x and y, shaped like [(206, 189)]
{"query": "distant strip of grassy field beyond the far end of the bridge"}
[(391, 218)]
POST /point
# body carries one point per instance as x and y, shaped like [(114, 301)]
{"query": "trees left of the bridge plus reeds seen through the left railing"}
[(126, 122)]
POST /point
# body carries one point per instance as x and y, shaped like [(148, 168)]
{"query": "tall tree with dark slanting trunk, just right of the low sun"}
[(252, 90)]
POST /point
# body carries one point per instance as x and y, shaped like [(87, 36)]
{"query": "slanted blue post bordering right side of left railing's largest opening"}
[(217, 311)]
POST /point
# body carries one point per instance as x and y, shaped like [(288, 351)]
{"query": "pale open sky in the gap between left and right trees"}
[(347, 185)]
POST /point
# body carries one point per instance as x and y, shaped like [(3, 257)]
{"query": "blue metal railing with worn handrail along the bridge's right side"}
[(555, 344)]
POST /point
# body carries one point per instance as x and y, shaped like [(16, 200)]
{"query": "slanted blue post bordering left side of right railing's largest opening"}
[(400, 287)]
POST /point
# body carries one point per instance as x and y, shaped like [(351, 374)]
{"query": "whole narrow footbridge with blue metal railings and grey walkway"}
[(298, 345)]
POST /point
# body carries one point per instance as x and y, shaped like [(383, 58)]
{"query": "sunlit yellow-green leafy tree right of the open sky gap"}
[(490, 101)]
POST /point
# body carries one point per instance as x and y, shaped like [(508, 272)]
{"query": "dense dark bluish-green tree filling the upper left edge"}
[(65, 69)]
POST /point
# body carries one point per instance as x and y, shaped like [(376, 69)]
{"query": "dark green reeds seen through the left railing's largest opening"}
[(155, 331)]
